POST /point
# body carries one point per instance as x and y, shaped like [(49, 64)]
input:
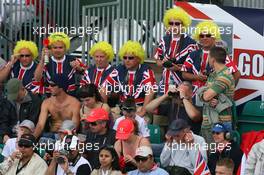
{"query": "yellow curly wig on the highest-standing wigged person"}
[(177, 14)]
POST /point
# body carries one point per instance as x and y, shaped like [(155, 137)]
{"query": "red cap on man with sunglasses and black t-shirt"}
[(97, 114)]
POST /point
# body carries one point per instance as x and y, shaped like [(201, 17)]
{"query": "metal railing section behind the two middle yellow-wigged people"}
[(122, 20)]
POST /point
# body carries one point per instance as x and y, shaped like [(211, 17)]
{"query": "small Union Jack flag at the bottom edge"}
[(201, 167)]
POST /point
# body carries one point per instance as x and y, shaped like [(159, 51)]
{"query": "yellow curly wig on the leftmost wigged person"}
[(31, 46)]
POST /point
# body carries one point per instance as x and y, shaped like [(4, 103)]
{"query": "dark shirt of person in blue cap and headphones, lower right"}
[(233, 152)]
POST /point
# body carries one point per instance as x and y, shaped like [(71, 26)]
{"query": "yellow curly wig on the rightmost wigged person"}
[(207, 27)]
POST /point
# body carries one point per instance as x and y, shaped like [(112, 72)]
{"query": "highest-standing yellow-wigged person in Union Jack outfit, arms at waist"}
[(174, 47)]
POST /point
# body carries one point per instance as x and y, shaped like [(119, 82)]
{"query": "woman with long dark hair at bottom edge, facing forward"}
[(109, 163)]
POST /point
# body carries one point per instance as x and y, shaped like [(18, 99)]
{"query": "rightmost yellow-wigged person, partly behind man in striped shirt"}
[(196, 67)]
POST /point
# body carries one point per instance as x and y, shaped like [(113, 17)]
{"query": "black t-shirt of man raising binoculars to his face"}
[(173, 111)]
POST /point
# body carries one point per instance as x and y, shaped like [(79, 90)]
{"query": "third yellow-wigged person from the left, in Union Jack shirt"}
[(102, 54)]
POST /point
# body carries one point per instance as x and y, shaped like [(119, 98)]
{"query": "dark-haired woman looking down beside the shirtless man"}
[(91, 99)]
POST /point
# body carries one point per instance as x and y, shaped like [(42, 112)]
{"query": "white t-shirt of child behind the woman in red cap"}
[(142, 125)]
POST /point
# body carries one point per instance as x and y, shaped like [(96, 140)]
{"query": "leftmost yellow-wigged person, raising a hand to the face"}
[(21, 64)]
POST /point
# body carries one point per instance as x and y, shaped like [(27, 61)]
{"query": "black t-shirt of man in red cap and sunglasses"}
[(94, 142)]
